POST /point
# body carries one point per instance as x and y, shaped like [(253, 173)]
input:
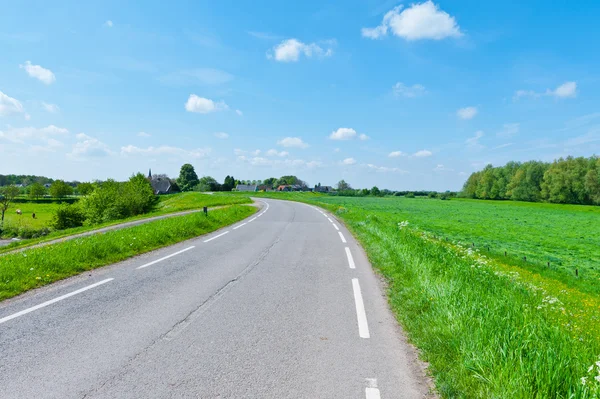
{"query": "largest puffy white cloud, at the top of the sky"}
[(419, 21)]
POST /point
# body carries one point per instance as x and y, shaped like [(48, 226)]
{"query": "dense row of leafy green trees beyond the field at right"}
[(565, 181)]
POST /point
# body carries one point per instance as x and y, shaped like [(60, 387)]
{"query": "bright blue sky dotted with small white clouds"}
[(395, 94)]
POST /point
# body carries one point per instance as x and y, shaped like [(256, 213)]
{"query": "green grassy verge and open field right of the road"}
[(490, 326)]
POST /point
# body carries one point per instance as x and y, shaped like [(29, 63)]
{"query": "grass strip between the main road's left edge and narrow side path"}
[(32, 268)]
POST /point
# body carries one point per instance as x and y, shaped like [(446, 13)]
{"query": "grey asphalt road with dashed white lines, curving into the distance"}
[(267, 308)]
